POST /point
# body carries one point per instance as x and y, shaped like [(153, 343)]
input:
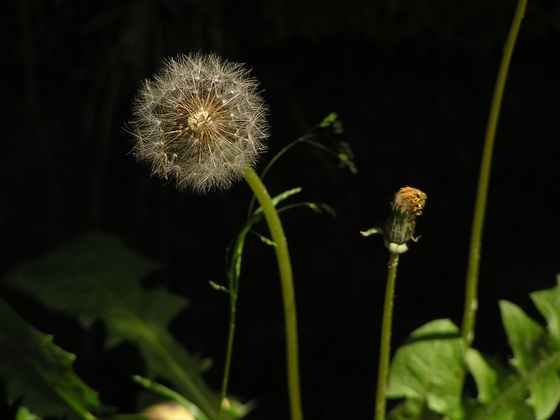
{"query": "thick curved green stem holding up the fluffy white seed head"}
[(286, 278)]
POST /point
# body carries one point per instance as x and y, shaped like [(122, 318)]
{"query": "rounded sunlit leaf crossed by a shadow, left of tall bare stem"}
[(428, 368)]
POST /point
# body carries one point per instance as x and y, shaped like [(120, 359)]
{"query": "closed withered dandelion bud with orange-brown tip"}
[(399, 228)]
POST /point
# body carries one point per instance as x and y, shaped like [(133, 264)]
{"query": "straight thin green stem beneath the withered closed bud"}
[(385, 346)]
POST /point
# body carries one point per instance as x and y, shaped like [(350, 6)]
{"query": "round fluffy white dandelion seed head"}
[(200, 121)]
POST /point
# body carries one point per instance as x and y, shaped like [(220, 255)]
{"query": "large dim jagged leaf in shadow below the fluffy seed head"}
[(97, 277)]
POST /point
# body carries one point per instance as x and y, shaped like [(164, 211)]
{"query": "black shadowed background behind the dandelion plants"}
[(411, 80)]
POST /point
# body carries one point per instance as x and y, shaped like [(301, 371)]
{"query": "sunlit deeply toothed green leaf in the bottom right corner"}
[(531, 390)]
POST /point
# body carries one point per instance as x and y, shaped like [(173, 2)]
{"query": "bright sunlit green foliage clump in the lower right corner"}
[(426, 370)]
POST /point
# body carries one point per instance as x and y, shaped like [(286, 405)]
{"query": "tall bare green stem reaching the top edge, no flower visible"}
[(471, 301)]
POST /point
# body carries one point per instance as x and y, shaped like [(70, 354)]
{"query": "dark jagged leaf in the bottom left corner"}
[(34, 368)]
